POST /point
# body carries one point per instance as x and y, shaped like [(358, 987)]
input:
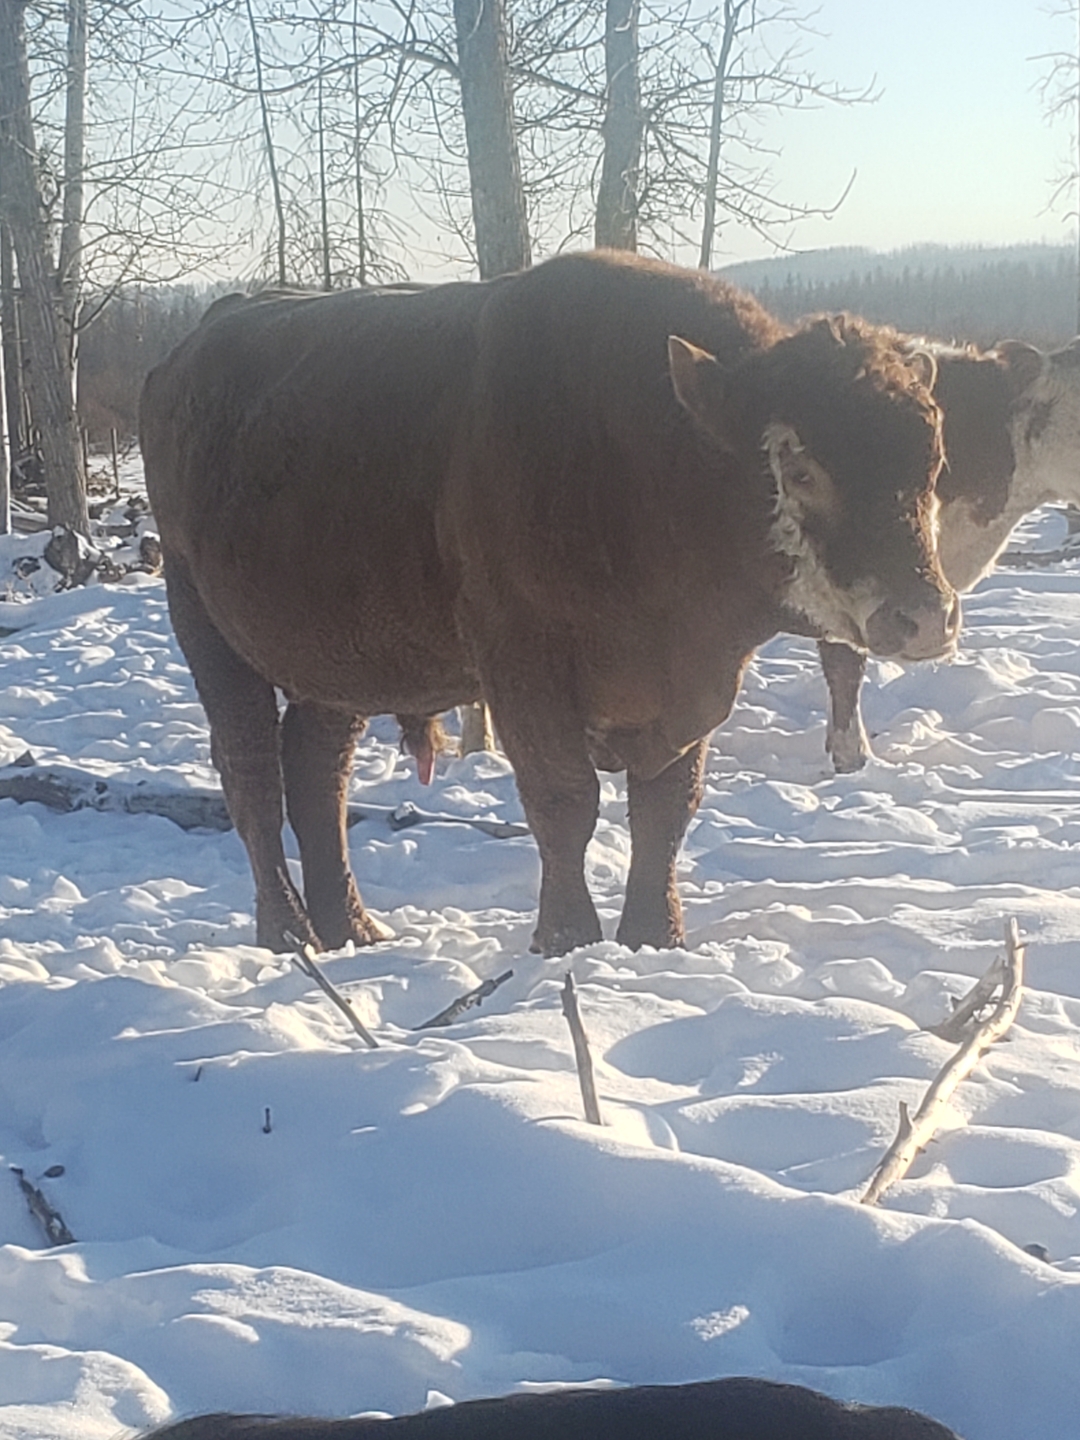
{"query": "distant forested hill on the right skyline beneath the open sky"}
[(1023, 292)]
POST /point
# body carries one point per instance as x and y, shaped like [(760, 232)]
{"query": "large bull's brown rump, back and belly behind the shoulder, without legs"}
[(296, 449)]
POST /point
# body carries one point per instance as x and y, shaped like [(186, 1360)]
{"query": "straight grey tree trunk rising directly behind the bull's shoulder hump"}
[(617, 198)]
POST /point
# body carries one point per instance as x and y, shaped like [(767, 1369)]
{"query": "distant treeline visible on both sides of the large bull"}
[(960, 296)]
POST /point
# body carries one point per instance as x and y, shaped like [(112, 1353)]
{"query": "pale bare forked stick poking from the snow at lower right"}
[(917, 1131)]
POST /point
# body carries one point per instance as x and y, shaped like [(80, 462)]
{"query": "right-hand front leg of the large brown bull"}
[(660, 811)]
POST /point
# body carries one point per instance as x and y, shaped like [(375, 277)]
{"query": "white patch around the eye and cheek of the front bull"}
[(804, 489)]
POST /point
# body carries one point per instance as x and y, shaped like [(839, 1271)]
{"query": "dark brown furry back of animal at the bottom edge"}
[(737, 1409)]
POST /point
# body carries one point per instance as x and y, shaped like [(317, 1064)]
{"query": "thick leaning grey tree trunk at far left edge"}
[(48, 374)]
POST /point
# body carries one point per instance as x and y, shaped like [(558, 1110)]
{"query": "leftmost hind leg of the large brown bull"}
[(243, 711)]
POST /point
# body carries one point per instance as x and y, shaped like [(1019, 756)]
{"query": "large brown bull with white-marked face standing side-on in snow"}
[(587, 492)]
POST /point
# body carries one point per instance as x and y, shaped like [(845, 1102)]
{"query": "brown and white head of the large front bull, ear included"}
[(849, 437)]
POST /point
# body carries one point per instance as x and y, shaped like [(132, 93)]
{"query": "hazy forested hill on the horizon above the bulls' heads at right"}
[(981, 303)]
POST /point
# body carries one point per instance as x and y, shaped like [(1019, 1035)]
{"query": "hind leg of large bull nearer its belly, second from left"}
[(318, 758)]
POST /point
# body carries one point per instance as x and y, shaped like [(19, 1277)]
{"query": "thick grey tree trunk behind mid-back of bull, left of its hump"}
[(499, 207)]
